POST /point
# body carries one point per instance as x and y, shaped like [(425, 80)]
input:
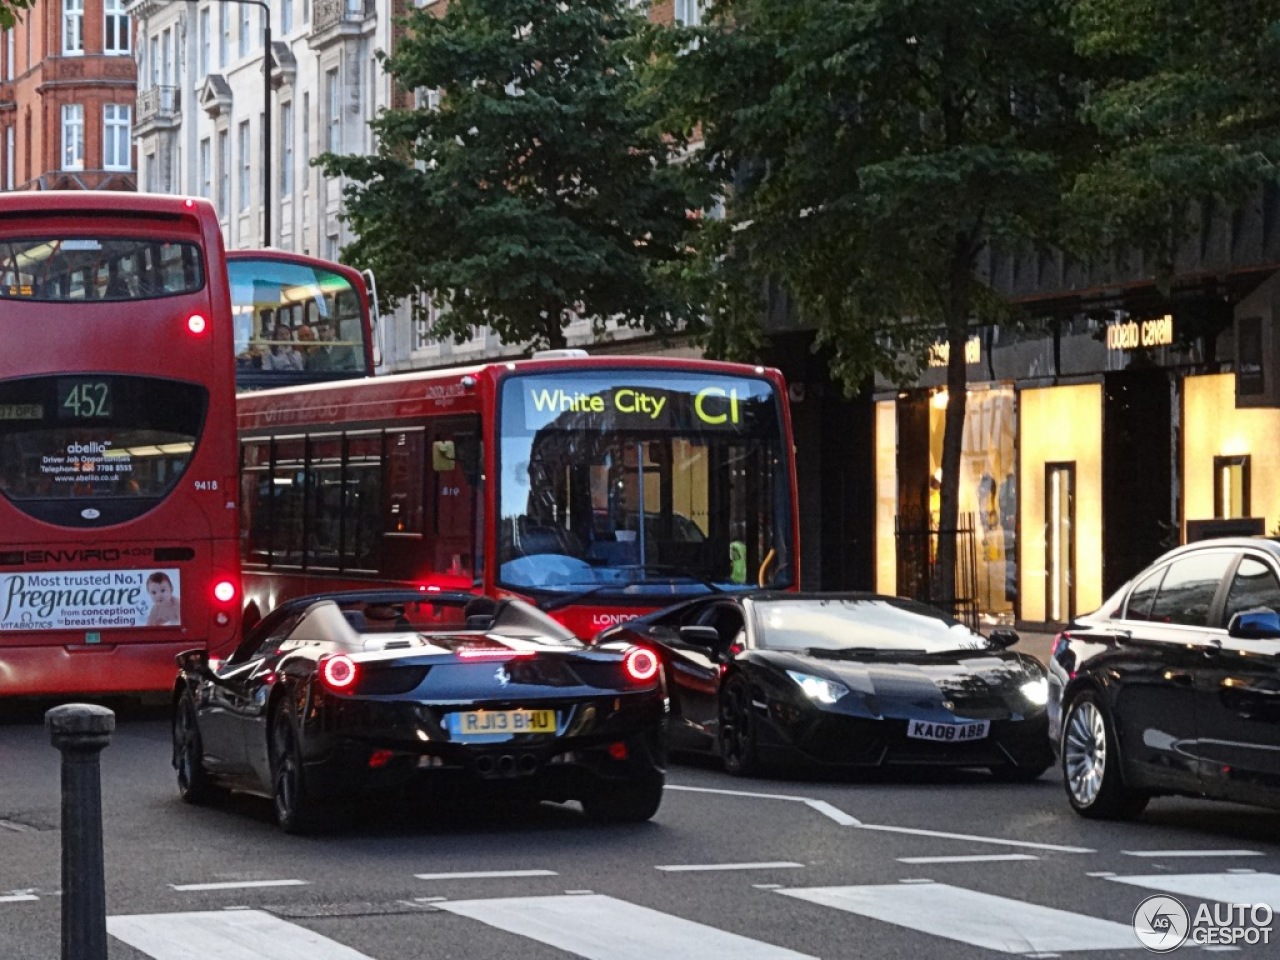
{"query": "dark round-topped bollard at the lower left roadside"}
[(81, 733)]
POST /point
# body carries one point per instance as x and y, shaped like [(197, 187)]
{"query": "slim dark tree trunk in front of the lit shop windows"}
[(953, 435)]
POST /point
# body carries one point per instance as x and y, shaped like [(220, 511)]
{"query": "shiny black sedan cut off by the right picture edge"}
[(1173, 687)]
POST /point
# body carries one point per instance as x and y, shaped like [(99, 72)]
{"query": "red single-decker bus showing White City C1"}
[(597, 487)]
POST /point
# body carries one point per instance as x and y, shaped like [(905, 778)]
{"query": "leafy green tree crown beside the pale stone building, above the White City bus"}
[(541, 185)]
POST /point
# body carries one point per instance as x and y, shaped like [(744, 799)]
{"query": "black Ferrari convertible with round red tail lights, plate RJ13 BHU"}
[(339, 696)]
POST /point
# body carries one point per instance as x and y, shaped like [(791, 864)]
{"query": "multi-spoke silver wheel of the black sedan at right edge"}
[(1091, 765)]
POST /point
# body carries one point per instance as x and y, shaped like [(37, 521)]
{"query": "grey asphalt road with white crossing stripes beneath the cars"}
[(940, 866)]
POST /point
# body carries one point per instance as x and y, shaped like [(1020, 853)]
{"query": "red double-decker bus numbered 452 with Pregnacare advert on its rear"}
[(118, 515)]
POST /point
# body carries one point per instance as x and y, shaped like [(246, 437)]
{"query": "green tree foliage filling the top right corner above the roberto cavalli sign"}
[(1187, 100)]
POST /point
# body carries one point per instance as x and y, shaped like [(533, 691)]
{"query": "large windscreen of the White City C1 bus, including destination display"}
[(642, 482)]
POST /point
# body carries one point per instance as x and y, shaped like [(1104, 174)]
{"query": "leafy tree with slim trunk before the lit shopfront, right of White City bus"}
[(875, 148)]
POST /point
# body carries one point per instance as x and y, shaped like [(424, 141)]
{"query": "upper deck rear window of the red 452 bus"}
[(98, 268)]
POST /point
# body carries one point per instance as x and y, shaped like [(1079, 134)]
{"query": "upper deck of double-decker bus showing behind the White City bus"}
[(299, 319)]
